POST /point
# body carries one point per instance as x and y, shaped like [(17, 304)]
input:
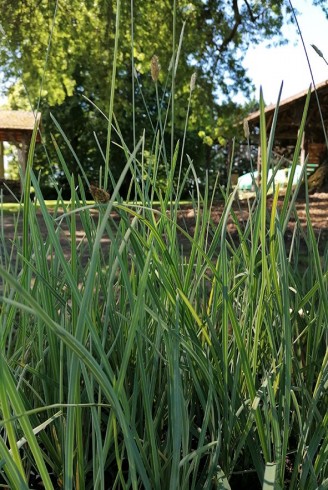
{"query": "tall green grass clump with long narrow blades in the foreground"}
[(150, 354)]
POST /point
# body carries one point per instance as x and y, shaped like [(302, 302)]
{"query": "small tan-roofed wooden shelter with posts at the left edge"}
[(16, 127)]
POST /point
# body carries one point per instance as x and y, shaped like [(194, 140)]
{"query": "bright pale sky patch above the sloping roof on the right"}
[(268, 67)]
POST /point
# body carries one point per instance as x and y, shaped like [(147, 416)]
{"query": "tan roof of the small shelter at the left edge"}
[(17, 126)]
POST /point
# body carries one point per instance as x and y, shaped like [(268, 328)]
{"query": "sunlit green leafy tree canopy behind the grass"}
[(58, 51)]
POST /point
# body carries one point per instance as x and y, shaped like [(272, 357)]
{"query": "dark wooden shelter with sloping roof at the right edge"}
[(288, 123)]
